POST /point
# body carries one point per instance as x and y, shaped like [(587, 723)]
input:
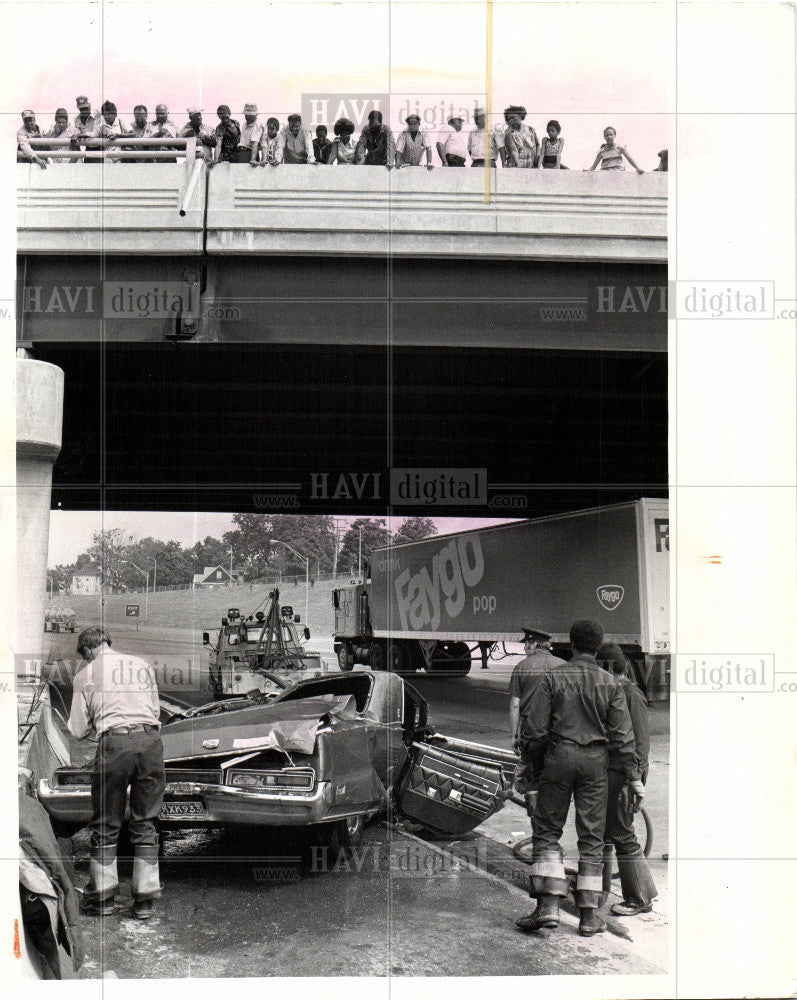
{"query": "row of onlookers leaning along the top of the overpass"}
[(512, 142)]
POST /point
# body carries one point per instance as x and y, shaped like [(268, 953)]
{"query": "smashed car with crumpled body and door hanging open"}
[(328, 752)]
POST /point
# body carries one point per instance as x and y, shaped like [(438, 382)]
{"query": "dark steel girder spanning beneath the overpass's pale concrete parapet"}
[(376, 301)]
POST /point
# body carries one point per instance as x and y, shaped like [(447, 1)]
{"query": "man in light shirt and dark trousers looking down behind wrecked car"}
[(116, 696)]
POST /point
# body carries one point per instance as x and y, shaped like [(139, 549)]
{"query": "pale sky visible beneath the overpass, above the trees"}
[(71, 531)]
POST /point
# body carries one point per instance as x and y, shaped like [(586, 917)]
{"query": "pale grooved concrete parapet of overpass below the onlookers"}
[(298, 209)]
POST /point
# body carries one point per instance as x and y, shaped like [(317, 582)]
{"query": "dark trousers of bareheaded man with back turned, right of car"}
[(578, 773)]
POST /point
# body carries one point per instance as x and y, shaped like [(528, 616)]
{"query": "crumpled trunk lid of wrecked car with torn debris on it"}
[(289, 726)]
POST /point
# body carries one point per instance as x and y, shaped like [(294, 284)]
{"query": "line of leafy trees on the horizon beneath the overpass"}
[(252, 549)]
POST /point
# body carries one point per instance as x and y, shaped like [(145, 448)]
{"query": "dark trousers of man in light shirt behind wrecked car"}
[(134, 761)]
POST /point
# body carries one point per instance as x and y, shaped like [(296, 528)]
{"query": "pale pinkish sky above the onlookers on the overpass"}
[(588, 65)]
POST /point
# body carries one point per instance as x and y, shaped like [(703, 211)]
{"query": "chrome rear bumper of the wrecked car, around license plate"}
[(222, 806)]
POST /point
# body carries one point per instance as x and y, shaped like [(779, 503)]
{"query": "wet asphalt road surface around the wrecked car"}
[(263, 904)]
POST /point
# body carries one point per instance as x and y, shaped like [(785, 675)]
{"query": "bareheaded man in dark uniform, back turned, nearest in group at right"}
[(577, 715)]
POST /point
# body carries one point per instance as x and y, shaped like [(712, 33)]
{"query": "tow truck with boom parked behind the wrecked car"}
[(261, 652)]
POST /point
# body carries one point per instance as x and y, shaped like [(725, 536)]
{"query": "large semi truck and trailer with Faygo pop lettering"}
[(434, 603)]
